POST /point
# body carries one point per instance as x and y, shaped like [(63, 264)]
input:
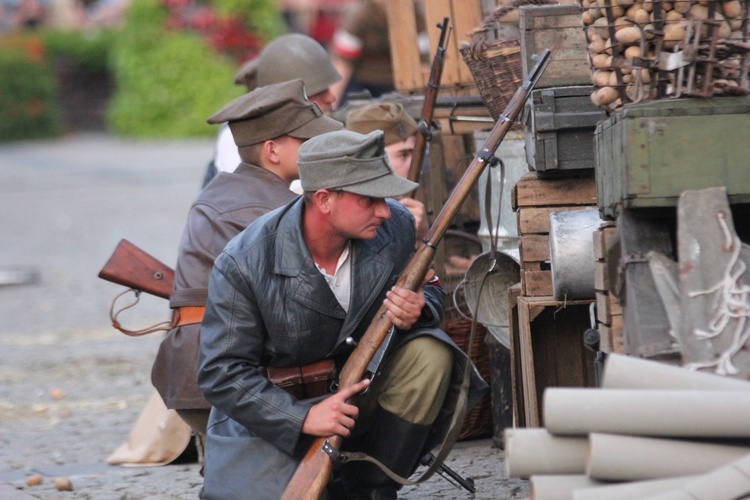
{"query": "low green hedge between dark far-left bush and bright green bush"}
[(89, 51)]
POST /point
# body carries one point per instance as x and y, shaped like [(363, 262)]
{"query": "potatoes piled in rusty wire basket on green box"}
[(626, 37)]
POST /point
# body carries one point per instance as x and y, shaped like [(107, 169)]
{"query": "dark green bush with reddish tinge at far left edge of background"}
[(28, 97)]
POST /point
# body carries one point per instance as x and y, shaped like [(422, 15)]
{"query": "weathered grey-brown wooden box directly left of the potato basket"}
[(560, 29)]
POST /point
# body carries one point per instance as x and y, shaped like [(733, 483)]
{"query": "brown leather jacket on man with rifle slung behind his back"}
[(226, 206)]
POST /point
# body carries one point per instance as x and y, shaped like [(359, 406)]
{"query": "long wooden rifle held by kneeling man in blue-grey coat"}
[(310, 479)]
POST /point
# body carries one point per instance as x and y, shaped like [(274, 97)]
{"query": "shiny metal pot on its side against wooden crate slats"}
[(571, 242)]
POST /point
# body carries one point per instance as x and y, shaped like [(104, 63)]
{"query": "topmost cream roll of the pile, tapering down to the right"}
[(630, 372)]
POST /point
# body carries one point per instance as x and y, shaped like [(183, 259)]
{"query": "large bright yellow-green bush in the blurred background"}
[(166, 84)]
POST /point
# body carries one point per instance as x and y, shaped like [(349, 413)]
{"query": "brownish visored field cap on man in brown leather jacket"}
[(274, 111)]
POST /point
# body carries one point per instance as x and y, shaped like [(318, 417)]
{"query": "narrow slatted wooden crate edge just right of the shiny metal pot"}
[(609, 320)]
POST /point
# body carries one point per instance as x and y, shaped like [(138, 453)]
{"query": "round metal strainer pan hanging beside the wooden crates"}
[(491, 292)]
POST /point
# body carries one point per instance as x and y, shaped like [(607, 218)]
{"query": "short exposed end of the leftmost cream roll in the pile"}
[(535, 451)]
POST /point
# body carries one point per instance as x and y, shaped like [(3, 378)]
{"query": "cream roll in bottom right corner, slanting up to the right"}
[(729, 482)]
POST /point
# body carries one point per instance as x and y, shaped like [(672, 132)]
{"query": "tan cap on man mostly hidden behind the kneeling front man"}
[(390, 117)]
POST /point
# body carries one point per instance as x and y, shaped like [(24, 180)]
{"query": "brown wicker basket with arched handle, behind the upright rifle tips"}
[(495, 64)]
